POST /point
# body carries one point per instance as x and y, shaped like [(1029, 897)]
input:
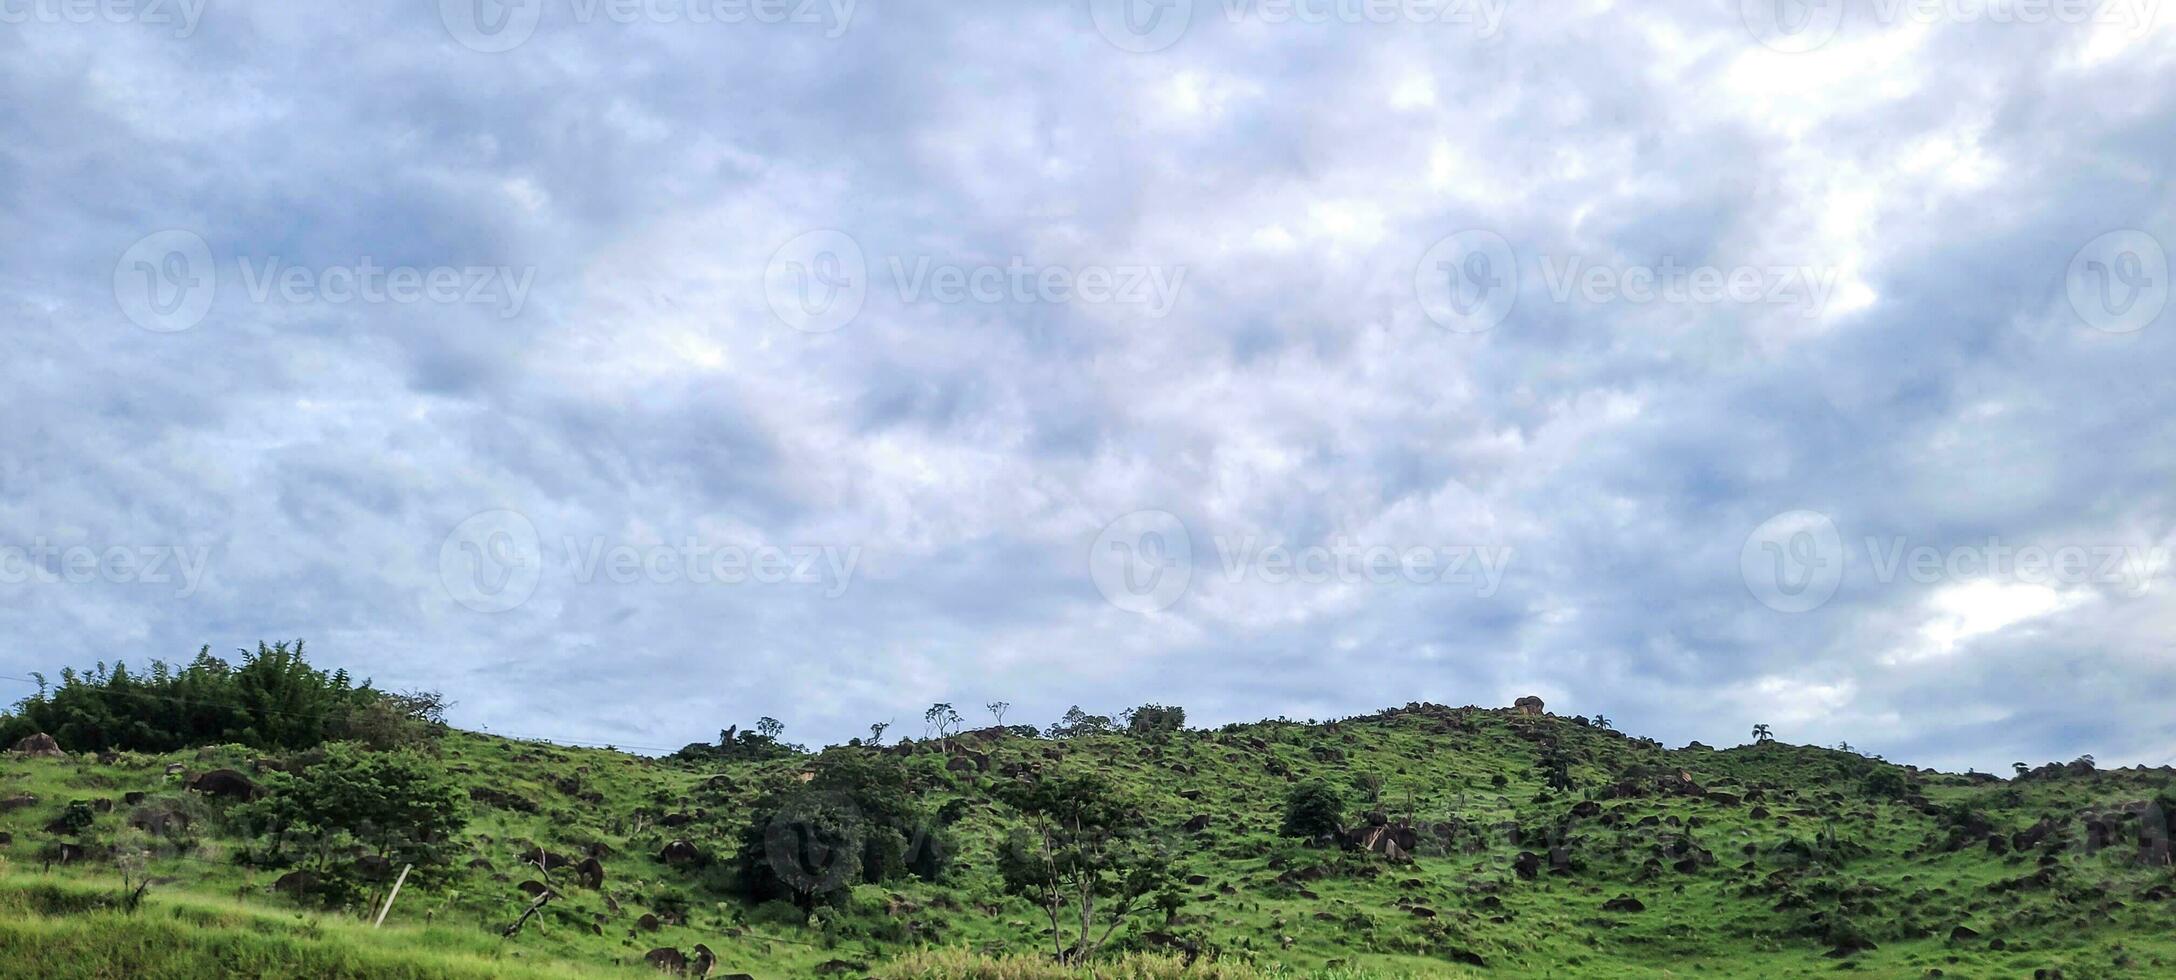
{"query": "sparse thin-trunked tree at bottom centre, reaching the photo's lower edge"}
[(1085, 857)]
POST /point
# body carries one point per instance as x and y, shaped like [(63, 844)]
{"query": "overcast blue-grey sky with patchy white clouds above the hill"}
[(630, 371)]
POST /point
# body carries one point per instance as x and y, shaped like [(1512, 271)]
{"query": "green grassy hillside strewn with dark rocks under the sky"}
[(1518, 846)]
